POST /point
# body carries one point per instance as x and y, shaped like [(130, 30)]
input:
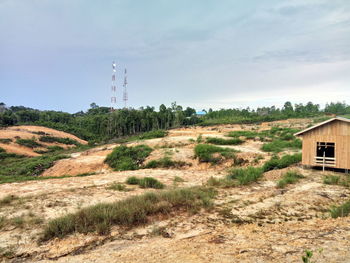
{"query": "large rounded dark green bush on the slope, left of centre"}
[(128, 158)]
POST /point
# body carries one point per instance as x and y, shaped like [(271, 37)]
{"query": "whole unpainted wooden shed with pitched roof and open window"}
[(327, 144)]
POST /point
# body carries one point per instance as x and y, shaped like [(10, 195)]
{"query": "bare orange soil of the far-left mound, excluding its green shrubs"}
[(8, 137)]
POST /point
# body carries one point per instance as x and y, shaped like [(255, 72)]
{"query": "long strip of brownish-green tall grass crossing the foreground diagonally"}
[(130, 212)]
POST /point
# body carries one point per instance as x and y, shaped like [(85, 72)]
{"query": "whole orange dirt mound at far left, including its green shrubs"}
[(35, 140)]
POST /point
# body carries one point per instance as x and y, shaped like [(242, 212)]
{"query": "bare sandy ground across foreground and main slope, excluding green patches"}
[(254, 223)]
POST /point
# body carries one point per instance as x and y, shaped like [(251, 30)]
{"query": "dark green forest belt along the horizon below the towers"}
[(101, 124)]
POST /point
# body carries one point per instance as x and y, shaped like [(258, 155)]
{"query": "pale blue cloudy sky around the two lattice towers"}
[(57, 54)]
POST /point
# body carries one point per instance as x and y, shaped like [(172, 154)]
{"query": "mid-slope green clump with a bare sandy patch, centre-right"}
[(213, 154)]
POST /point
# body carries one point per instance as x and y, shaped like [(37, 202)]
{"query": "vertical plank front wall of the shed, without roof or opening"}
[(337, 132)]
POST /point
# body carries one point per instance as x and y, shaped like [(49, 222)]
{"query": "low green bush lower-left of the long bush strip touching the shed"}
[(245, 176)]
